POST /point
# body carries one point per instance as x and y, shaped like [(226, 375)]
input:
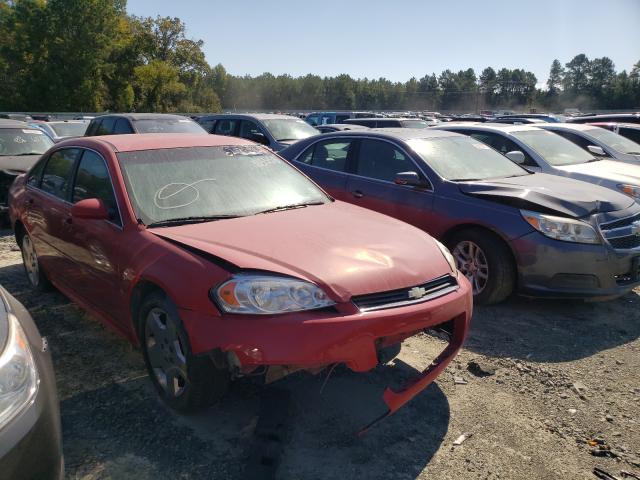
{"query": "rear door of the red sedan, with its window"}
[(49, 212)]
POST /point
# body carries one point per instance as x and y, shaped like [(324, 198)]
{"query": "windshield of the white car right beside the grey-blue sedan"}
[(553, 148)]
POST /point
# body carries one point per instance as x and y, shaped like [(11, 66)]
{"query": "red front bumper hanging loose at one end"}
[(314, 340)]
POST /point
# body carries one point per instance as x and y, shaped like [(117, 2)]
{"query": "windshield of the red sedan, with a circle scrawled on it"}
[(208, 182)]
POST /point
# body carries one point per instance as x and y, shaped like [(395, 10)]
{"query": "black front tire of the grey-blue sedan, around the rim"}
[(501, 275)]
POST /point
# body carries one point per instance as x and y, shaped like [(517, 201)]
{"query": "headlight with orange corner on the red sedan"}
[(265, 295)]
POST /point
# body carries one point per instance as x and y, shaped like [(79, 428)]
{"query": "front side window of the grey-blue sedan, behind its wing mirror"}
[(381, 160)]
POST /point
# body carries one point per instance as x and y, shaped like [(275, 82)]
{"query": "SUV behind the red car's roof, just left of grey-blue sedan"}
[(272, 130)]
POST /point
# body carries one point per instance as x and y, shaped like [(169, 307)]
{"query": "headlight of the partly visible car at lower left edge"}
[(18, 374)]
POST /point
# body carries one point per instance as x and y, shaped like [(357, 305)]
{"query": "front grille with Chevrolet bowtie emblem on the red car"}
[(396, 298)]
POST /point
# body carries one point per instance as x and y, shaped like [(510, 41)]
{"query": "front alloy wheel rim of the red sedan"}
[(166, 352)]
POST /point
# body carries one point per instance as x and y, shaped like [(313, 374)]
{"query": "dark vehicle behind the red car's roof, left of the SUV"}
[(125, 123)]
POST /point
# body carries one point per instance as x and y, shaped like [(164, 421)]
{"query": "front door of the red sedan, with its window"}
[(97, 245)]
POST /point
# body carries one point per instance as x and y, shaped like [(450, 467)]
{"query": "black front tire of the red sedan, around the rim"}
[(203, 383)]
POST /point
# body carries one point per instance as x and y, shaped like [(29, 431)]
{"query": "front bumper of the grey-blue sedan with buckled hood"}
[(552, 268)]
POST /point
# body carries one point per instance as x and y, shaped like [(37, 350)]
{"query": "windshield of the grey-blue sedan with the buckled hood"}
[(463, 158)]
